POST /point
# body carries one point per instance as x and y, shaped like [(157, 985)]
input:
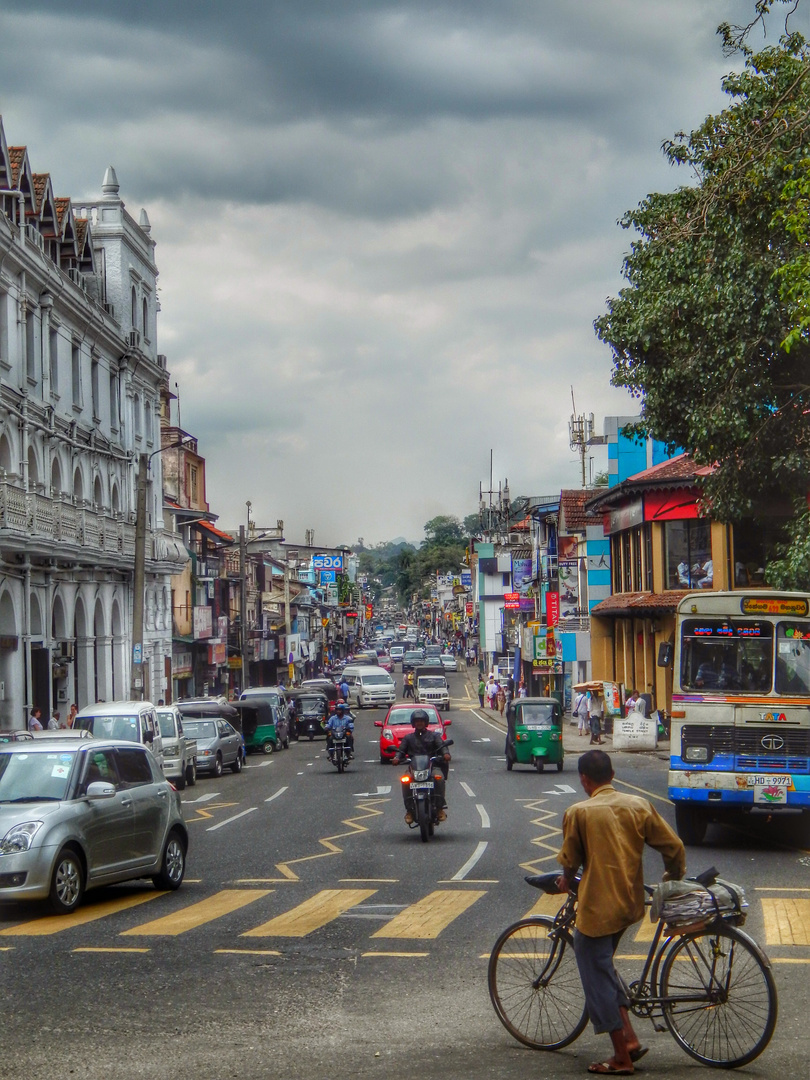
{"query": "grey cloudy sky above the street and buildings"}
[(385, 227)]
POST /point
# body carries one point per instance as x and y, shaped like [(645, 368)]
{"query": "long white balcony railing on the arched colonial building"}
[(39, 518)]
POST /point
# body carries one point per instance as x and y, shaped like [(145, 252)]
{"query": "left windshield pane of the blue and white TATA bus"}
[(727, 655)]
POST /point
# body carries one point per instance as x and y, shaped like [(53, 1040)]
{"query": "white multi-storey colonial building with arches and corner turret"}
[(80, 383)]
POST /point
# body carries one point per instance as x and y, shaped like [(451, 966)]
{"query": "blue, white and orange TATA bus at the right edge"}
[(740, 708)]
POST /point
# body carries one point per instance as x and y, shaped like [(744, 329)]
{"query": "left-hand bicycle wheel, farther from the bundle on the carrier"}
[(535, 985)]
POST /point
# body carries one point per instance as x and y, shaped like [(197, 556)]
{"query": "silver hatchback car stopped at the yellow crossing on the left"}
[(75, 816)]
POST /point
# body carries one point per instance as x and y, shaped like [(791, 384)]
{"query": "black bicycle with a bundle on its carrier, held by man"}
[(711, 983)]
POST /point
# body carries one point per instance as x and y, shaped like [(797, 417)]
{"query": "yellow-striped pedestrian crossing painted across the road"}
[(776, 922)]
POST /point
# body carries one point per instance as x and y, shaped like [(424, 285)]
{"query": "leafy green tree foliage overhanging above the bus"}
[(712, 330)]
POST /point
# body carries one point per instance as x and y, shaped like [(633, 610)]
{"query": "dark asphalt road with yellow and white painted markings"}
[(317, 937)]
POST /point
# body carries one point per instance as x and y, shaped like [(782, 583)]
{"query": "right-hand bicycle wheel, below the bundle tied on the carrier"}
[(723, 998)]
